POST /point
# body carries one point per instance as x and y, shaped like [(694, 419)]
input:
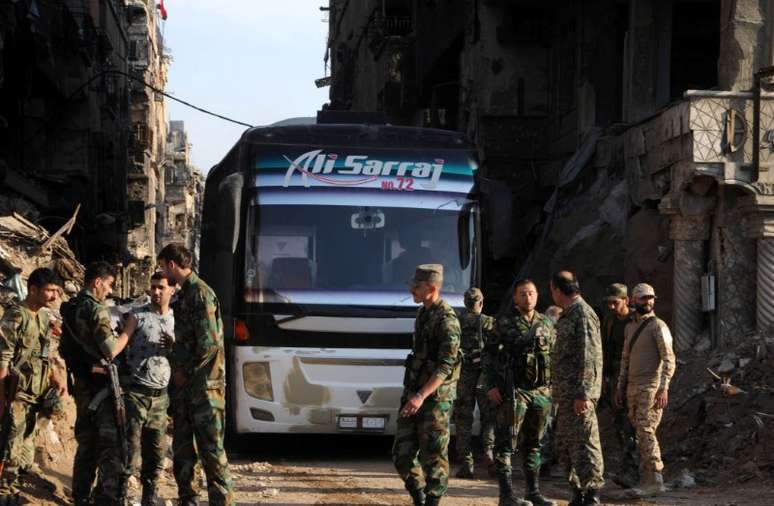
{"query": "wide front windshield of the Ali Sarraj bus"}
[(297, 248)]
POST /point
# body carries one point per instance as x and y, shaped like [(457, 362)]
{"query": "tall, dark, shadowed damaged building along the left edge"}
[(79, 125)]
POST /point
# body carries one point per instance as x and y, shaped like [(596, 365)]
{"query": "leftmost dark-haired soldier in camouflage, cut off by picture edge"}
[(24, 347)]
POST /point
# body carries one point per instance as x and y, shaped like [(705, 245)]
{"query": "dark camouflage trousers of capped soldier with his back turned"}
[(468, 395)]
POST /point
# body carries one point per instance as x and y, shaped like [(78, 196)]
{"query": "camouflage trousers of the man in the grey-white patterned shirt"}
[(147, 422)]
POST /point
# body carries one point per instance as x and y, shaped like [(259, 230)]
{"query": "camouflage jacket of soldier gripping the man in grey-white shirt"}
[(85, 328)]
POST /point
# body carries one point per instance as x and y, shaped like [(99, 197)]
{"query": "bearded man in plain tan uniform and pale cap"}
[(647, 365)]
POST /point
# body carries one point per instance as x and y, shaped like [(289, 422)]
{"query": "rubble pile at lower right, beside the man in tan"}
[(720, 419)]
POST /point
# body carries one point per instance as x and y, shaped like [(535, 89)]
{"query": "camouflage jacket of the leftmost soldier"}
[(24, 344)]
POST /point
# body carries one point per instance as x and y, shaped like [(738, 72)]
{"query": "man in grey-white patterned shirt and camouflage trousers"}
[(147, 370)]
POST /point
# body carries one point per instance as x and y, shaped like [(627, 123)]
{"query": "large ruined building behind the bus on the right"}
[(632, 139)]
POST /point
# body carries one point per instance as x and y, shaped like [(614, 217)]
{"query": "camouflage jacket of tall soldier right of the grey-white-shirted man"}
[(198, 350)]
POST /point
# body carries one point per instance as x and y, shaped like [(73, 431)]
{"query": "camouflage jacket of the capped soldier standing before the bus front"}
[(435, 351)]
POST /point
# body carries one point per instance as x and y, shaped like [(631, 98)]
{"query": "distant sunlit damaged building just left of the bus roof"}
[(184, 191)]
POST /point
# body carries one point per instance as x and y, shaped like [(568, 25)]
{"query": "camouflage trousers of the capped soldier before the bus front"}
[(420, 449)]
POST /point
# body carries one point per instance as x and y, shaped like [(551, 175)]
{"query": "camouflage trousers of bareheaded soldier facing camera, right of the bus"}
[(521, 422)]
